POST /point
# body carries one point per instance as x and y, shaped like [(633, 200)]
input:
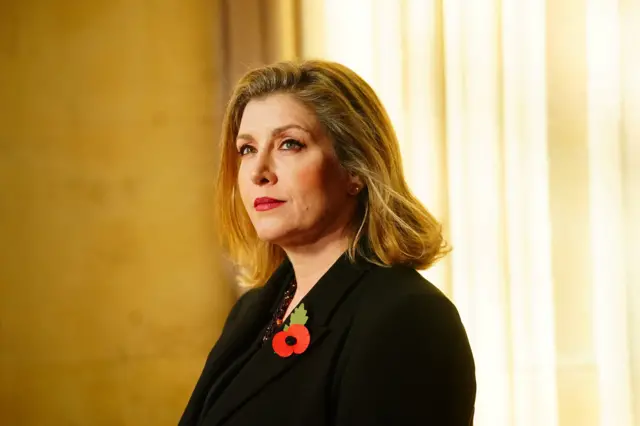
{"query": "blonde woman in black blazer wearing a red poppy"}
[(339, 328)]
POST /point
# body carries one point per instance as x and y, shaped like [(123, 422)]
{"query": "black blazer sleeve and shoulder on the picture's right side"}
[(406, 357)]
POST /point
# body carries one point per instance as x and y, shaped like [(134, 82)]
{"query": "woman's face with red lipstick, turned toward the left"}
[(291, 183)]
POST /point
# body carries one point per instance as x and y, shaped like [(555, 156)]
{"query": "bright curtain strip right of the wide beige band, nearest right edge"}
[(605, 191)]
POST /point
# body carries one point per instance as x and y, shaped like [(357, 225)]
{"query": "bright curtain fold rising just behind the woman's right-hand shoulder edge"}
[(475, 191)]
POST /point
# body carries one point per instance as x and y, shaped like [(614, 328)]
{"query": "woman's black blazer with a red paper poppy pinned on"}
[(387, 348)]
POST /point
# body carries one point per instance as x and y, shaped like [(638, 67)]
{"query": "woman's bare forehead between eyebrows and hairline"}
[(273, 111)]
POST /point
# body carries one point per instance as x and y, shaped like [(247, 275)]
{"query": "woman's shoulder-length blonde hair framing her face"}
[(391, 226)]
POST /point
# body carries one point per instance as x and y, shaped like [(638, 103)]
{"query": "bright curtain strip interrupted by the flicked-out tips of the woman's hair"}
[(425, 163)]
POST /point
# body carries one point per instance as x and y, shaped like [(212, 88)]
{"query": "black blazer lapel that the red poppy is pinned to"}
[(266, 365)]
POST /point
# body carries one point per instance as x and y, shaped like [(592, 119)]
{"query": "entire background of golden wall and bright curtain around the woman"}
[(519, 123)]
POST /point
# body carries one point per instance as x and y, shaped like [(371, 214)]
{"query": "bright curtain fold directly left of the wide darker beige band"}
[(527, 211)]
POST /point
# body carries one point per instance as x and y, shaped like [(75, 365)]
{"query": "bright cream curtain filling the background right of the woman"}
[(519, 123)]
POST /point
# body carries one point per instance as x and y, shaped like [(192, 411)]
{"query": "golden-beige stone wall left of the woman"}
[(111, 293)]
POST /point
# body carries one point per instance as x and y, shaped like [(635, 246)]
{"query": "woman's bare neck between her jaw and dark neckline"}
[(311, 262)]
